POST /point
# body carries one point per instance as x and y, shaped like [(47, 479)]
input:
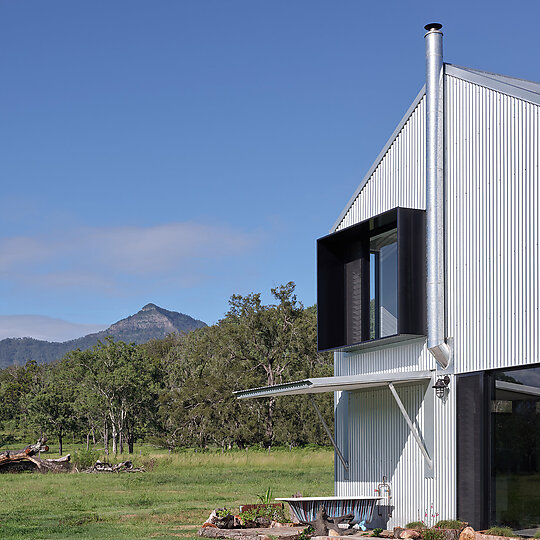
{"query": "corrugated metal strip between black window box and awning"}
[(409, 356)]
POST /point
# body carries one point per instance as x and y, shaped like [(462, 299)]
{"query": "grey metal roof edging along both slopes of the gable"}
[(519, 88)]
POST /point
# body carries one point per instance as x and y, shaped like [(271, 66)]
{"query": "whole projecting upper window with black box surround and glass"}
[(371, 281)]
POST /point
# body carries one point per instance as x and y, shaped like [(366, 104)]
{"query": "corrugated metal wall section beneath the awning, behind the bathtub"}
[(380, 444)]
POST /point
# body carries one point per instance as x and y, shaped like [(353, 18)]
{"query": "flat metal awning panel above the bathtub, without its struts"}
[(333, 384)]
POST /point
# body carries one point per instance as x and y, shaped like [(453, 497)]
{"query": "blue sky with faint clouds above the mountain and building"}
[(178, 152)]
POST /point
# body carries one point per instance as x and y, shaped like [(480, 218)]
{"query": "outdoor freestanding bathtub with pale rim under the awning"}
[(305, 508)]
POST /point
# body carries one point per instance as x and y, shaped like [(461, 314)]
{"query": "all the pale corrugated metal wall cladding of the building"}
[(493, 229)]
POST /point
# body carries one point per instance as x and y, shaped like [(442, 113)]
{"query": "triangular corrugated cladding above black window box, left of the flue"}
[(400, 177)]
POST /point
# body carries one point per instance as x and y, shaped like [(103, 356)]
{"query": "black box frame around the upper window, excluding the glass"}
[(343, 281)]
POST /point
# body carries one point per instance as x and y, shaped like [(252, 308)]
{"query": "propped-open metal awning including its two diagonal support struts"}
[(353, 382)]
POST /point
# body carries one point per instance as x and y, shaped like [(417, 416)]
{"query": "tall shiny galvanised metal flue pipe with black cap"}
[(437, 344)]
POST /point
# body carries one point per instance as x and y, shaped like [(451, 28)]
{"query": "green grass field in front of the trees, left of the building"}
[(170, 500)]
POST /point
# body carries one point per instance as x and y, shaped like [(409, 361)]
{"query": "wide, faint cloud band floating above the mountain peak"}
[(112, 259)]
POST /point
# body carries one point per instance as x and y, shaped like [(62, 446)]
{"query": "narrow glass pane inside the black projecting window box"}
[(383, 293)]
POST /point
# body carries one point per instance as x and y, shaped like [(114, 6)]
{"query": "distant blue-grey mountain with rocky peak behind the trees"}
[(151, 322)]
